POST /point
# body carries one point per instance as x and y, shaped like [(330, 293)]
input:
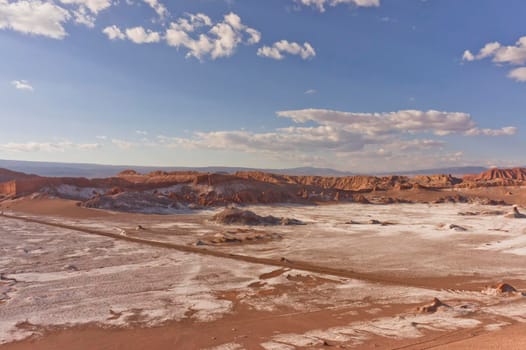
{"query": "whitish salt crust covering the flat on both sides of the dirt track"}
[(81, 278)]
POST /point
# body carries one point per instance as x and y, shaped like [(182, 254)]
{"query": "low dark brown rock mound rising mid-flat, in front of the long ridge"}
[(234, 216)]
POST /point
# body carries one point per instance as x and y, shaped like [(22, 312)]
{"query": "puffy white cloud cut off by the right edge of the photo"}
[(501, 54)]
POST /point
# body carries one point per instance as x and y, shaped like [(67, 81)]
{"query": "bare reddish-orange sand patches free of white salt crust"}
[(250, 327)]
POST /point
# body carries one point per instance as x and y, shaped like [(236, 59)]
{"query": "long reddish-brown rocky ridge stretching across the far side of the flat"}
[(188, 189)]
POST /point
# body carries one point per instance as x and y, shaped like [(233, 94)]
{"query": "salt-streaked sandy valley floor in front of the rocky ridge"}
[(64, 288)]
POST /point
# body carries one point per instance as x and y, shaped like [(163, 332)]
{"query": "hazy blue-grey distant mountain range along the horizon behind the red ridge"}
[(100, 171)]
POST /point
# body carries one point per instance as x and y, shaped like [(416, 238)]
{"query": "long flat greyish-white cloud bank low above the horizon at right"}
[(393, 137)]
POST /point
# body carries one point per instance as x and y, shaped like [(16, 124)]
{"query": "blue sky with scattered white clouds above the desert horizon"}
[(356, 85)]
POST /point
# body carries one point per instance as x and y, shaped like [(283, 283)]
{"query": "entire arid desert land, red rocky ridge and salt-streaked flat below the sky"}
[(263, 261)]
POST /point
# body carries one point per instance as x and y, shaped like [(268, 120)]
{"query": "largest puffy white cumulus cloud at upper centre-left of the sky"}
[(203, 38)]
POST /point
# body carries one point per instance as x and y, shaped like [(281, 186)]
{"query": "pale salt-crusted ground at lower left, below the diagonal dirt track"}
[(126, 280)]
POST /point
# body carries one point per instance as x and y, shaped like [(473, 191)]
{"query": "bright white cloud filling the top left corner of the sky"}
[(34, 17)]
